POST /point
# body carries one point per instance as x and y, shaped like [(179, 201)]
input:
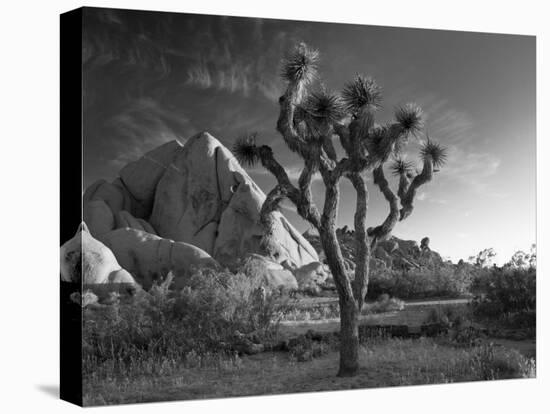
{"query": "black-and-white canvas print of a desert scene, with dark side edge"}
[(276, 206)]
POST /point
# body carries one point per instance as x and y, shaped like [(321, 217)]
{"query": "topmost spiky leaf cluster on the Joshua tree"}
[(300, 65)]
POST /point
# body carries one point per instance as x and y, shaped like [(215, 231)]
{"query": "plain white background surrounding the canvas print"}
[(29, 217)]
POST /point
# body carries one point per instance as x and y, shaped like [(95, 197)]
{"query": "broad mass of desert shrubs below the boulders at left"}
[(160, 329)]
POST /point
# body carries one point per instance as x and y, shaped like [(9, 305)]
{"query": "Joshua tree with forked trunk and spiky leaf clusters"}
[(308, 121)]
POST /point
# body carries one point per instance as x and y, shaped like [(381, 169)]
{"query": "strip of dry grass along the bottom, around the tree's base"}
[(385, 362)]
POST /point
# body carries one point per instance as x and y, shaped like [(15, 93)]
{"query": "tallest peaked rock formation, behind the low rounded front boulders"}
[(198, 194)]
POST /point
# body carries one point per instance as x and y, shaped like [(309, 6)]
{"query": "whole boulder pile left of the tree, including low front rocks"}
[(177, 209)]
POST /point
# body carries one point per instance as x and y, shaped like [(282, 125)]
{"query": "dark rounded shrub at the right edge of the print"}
[(506, 295)]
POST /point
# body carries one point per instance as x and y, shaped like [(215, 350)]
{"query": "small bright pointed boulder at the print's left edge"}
[(88, 261)]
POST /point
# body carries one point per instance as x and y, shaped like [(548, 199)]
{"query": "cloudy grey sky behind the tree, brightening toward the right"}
[(150, 78)]
